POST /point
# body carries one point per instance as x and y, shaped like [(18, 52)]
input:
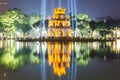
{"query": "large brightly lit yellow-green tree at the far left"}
[(11, 19)]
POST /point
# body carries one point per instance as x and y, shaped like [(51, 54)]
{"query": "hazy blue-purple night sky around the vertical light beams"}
[(95, 8)]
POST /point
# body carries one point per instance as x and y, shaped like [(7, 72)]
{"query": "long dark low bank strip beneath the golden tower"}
[(65, 39)]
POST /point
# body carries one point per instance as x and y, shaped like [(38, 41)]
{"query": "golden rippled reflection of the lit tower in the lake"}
[(59, 56)]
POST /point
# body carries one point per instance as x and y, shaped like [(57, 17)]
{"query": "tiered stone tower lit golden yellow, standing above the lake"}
[(59, 24)]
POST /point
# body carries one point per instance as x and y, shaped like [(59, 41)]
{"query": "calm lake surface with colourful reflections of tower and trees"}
[(59, 60)]
